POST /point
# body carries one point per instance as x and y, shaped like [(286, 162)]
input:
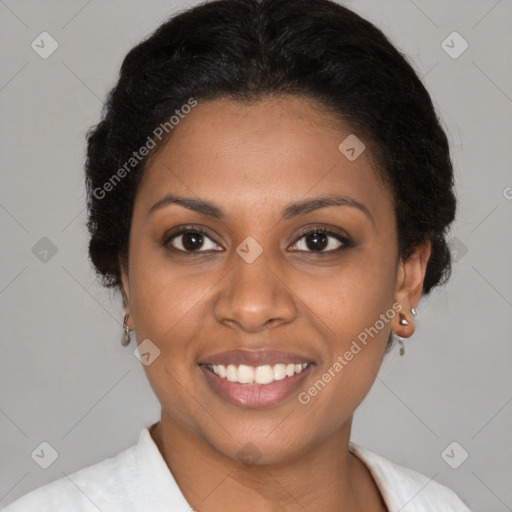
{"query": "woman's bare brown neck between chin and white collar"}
[(328, 477)]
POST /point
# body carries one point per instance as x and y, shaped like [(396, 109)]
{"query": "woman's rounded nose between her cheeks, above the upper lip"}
[(254, 297)]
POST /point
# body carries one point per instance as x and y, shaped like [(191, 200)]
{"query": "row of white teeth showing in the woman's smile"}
[(264, 374)]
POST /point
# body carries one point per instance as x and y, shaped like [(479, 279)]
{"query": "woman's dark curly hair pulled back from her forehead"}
[(245, 50)]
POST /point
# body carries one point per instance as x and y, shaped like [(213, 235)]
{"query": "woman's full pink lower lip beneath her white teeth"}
[(255, 396)]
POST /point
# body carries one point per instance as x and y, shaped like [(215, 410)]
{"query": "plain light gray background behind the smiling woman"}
[(66, 379)]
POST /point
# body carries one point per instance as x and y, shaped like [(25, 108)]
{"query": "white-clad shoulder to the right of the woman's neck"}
[(406, 489)]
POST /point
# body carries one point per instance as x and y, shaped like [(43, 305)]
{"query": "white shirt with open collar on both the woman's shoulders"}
[(138, 479)]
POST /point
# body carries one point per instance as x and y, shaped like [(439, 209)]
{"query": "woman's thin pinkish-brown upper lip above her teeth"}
[(254, 357)]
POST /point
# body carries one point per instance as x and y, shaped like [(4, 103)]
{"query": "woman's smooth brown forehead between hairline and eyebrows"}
[(261, 155)]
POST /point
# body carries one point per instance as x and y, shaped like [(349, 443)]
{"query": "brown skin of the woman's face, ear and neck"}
[(252, 160)]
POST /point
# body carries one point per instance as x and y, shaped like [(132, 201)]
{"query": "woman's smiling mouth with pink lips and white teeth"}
[(255, 379)]
